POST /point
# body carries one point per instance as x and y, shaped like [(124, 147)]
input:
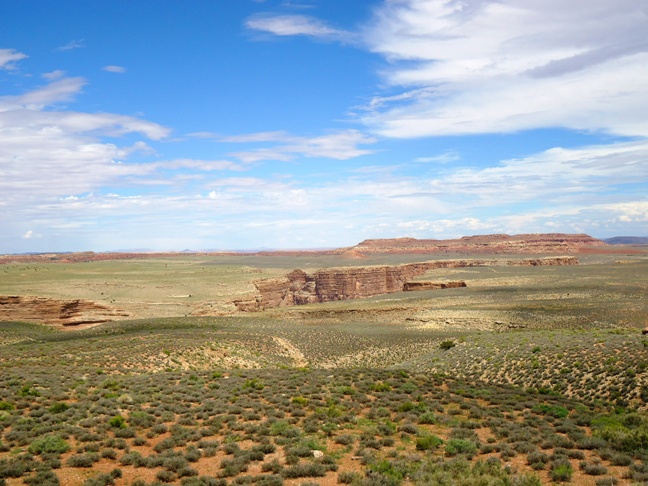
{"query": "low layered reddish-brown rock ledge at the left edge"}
[(64, 313)]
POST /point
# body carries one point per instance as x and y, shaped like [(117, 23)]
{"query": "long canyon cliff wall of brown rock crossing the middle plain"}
[(346, 283)]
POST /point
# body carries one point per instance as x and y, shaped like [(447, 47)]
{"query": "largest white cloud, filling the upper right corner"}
[(503, 66)]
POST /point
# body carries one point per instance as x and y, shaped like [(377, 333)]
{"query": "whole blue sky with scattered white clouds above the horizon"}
[(283, 124)]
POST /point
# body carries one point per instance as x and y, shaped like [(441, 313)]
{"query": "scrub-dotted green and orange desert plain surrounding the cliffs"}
[(529, 375)]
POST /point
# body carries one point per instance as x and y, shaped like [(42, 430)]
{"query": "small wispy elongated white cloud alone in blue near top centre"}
[(290, 25)]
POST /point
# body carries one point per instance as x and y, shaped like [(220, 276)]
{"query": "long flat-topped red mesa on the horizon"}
[(552, 243)]
